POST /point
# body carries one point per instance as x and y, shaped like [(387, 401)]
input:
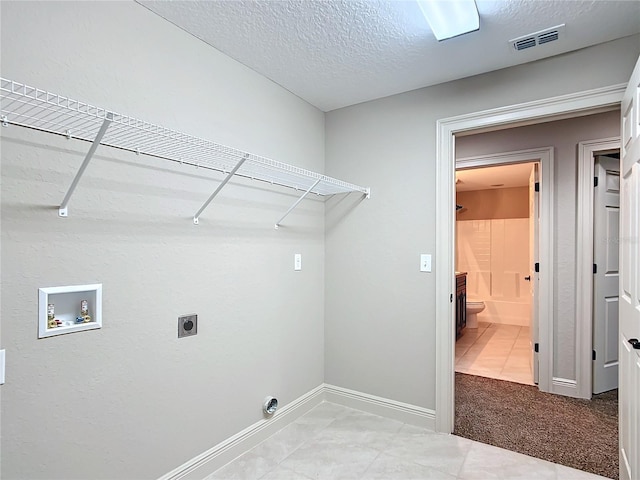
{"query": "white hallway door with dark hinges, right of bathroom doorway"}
[(606, 229)]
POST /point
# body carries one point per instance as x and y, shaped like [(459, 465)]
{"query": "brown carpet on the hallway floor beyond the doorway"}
[(577, 433)]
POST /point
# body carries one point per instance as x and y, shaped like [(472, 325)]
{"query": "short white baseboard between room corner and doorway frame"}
[(404, 412)]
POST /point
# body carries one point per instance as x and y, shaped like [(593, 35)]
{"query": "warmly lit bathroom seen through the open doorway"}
[(496, 250)]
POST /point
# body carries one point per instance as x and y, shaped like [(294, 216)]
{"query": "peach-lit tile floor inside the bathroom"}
[(495, 351)]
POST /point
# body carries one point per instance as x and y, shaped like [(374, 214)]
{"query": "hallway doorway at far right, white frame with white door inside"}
[(597, 244)]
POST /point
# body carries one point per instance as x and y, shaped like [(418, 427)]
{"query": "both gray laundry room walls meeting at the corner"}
[(133, 401)]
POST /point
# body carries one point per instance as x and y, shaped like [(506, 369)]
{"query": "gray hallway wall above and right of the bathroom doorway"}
[(564, 136)]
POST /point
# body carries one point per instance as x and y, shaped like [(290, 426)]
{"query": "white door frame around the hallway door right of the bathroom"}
[(584, 260)]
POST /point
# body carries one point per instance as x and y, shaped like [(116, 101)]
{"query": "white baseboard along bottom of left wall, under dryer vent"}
[(208, 462)]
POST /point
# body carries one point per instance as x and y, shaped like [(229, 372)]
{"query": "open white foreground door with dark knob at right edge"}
[(629, 339)]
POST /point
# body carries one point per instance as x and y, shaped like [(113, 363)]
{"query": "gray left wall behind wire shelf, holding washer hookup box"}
[(131, 400)]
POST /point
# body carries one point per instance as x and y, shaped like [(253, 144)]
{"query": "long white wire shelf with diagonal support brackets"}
[(38, 109)]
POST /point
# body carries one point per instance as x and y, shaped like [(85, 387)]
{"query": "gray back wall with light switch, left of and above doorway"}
[(380, 325)]
